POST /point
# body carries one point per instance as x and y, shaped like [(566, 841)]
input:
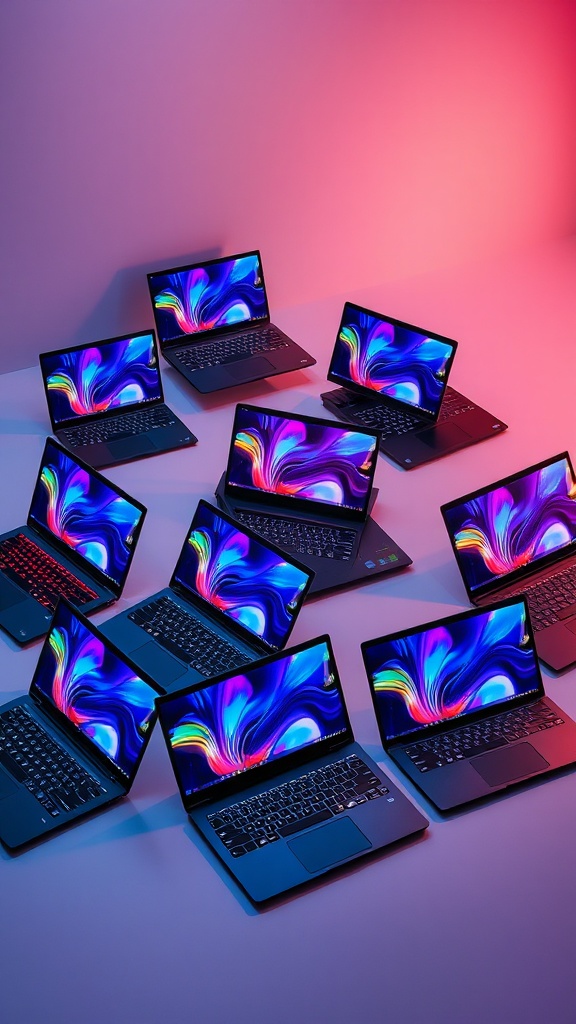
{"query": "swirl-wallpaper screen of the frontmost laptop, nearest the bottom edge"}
[(254, 718)]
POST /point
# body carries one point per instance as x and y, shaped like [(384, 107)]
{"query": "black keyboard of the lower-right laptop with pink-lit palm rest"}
[(482, 737)]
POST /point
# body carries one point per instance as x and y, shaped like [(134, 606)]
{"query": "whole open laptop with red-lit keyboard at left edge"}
[(78, 543)]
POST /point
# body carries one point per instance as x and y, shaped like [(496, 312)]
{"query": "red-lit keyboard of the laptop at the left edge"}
[(39, 575)]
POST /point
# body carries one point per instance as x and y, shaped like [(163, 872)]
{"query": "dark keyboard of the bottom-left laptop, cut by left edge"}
[(46, 769)]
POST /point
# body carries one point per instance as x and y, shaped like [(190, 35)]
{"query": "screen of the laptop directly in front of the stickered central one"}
[(241, 577)]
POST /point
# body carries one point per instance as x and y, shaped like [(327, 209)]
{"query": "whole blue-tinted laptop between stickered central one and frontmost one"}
[(233, 599)]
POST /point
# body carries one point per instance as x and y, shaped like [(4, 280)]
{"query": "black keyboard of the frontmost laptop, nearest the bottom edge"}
[(309, 800)]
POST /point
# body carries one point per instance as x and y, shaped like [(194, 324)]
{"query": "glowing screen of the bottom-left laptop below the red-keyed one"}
[(100, 695)]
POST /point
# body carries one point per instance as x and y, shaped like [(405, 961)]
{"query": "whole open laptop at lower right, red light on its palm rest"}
[(462, 708)]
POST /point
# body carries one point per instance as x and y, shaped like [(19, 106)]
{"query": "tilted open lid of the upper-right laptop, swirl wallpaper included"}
[(380, 356)]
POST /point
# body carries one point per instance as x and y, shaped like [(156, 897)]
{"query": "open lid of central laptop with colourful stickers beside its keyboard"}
[(301, 463)]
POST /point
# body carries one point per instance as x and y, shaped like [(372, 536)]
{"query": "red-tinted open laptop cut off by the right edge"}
[(519, 537)]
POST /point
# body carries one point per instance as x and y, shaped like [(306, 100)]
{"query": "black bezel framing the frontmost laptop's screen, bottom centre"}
[(260, 774)]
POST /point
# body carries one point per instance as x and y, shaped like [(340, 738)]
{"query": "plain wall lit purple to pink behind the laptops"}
[(354, 143)]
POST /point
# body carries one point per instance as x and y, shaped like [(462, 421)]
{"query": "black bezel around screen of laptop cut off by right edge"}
[(525, 572)]
